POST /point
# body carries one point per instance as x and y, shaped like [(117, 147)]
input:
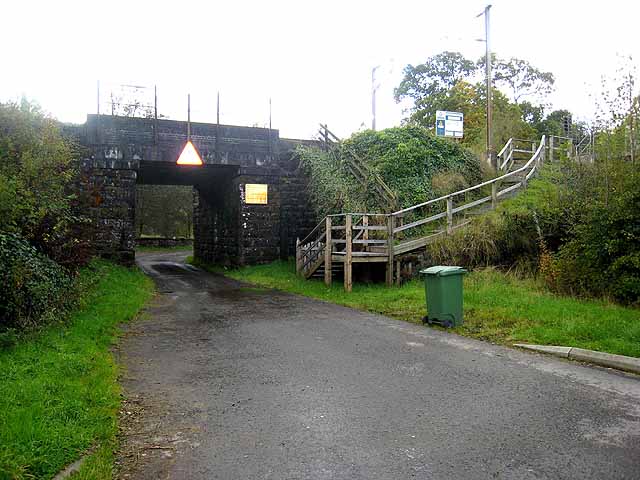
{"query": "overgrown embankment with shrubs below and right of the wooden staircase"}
[(577, 227)]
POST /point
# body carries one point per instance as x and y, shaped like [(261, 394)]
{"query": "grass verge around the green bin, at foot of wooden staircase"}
[(499, 308)]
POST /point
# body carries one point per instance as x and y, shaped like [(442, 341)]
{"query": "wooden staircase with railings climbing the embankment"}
[(387, 237)]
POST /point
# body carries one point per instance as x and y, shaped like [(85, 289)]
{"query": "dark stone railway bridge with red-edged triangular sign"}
[(122, 152)]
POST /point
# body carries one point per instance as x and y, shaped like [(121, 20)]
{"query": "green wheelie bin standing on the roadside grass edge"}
[(443, 287)]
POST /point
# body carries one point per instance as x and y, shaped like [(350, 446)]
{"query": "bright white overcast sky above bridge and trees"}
[(313, 59)]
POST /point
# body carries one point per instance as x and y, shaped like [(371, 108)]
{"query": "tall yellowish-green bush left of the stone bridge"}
[(38, 172)]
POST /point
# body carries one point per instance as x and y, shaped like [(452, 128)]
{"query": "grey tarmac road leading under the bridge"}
[(226, 381)]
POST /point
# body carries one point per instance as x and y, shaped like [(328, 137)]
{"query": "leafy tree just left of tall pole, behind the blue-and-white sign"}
[(429, 84)]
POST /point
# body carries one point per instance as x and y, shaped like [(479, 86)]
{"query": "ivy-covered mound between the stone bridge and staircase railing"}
[(416, 165)]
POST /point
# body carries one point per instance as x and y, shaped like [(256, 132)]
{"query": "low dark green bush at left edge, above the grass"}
[(35, 289)]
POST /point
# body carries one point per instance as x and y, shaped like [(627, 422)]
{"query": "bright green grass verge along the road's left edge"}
[(58, 391)]
